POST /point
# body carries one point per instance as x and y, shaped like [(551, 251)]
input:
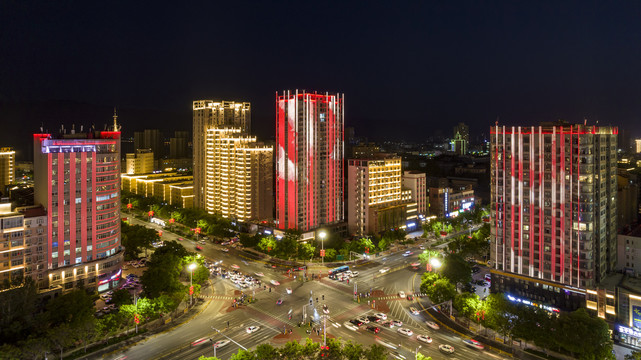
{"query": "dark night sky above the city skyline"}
[(407, 69)]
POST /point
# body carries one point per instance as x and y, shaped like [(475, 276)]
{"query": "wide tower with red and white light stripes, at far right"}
[(553, 205)]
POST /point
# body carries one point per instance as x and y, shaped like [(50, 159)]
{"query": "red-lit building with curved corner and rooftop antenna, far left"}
[(77, 180)]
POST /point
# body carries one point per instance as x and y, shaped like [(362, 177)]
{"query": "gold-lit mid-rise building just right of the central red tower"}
[(376, 201)]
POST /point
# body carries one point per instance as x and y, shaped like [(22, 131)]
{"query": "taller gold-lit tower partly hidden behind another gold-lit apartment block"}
[(213, 114)]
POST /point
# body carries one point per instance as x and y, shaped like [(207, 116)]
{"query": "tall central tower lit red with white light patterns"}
[(309, 157)]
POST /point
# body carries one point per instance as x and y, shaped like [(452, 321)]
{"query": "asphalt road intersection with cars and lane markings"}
[(273, 319)]
